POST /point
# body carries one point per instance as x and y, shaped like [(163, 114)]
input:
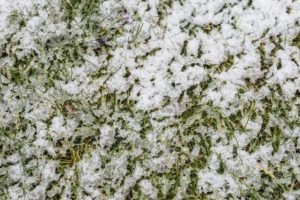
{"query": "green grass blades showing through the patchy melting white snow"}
[(116, 109)]
